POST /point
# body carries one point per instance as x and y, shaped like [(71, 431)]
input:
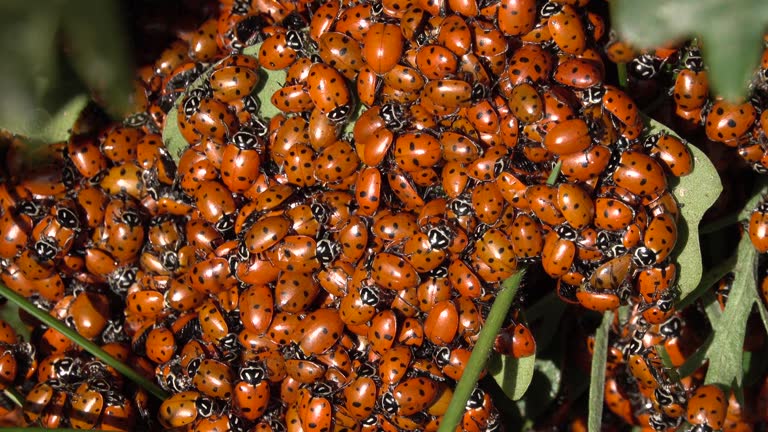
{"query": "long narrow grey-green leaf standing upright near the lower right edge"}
[(725, 352)]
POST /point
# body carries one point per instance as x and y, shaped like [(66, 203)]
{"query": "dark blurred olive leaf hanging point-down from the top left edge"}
[(99, 51)]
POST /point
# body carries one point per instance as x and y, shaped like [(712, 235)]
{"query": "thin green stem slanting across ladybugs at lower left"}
[(83, 342)]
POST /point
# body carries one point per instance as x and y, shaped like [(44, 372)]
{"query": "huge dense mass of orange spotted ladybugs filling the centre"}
[(303, 267)]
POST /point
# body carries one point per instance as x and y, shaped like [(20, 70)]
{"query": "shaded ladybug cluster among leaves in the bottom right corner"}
[(642, 390)]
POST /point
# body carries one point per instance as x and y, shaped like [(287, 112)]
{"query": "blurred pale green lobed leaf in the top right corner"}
[(731, 34)]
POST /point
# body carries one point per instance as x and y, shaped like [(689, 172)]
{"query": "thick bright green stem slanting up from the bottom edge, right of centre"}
[(481, 352)]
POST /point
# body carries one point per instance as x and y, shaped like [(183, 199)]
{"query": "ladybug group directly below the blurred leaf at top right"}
[(677, 79)]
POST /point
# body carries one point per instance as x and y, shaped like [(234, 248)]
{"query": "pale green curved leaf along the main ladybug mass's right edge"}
[(695, 193)]
